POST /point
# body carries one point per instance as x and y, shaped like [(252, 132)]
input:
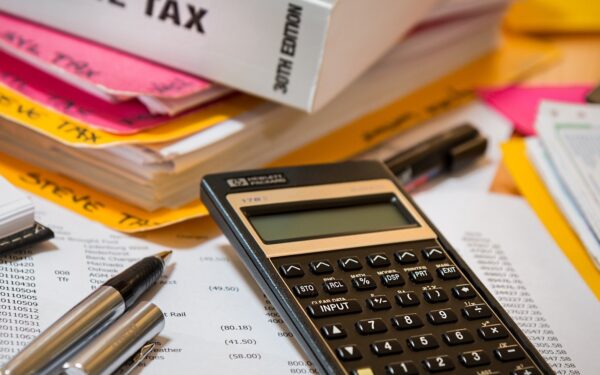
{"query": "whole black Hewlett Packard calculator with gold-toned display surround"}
[(362, 278)]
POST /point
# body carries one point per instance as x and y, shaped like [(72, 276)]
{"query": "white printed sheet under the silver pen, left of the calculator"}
[(217, 320)]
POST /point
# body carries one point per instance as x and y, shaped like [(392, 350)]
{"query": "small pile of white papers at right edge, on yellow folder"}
[(567, 157)]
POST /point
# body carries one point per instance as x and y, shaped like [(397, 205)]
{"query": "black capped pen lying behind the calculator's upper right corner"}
[(444, 152)]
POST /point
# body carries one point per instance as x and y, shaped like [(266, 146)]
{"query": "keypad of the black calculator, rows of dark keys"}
[(404, 309)]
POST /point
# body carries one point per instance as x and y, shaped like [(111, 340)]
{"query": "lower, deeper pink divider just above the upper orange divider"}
[(119, 118)]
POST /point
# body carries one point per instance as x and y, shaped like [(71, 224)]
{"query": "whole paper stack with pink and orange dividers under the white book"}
[(85, 112)]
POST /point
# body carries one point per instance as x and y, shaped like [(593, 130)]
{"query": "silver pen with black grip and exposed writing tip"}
[(87, 319)]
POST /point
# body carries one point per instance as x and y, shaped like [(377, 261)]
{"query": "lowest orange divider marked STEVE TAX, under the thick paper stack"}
[(92, 204)]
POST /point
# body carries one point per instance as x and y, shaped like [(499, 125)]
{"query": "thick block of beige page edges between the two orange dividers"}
[(155, 176)]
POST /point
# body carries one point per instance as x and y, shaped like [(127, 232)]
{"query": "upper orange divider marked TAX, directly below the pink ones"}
[(18, 108)]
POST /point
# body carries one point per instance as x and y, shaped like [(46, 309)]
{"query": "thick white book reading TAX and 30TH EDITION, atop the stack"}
[(301, 52)]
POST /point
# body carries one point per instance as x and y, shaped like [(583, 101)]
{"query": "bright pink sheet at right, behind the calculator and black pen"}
[(520, 104)]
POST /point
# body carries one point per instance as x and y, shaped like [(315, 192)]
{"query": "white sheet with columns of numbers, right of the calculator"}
[(503, 241)]
